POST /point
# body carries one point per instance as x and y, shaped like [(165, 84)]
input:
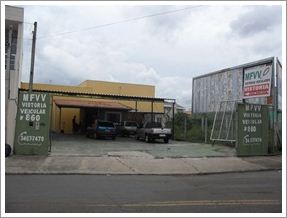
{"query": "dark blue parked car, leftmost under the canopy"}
[(102, 129)]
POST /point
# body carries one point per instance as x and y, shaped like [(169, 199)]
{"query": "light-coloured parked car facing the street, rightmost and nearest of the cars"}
[(153, 130)]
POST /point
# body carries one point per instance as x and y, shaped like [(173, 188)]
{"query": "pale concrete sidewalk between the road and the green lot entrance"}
[(137, 163)]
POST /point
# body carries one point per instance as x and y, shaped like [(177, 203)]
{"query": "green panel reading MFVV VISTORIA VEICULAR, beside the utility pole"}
[(32, 123)]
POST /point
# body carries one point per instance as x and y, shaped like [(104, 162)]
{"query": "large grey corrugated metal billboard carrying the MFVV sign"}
[(253, 82)]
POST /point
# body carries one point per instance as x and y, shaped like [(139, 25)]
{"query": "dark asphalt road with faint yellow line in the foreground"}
[(227, 193)]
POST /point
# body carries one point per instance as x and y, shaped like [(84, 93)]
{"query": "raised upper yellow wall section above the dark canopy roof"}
[(116, 88)]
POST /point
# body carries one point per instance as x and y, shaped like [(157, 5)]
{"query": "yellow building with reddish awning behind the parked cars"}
[(99, 100)]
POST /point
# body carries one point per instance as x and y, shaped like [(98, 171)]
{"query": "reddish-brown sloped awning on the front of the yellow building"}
[(90, 104)]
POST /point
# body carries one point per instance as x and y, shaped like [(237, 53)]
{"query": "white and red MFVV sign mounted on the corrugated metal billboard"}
[(257, 81)]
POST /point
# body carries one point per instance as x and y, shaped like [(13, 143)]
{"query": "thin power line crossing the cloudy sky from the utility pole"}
[(120, 22)]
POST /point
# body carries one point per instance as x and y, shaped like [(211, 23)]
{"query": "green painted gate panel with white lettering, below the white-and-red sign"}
[(252, 131)]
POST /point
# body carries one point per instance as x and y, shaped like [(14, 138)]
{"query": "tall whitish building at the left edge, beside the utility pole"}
[(14, 17)]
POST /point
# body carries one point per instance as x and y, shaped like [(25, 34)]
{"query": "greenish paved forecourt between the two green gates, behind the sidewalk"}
[(79, 145)]
